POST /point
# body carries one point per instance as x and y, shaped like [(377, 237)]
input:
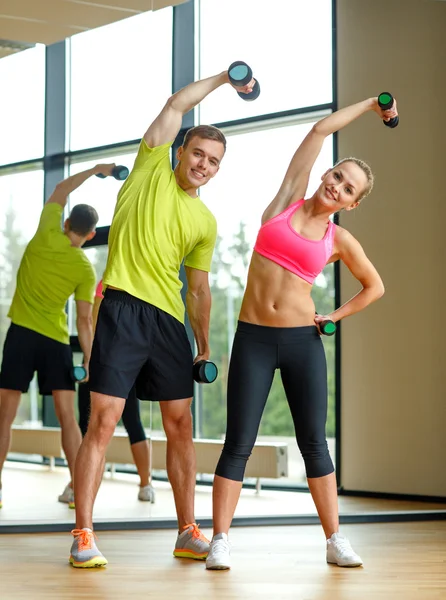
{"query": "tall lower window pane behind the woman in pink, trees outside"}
[(238, 200)]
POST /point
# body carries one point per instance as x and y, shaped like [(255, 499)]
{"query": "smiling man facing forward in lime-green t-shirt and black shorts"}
[(140, 337)]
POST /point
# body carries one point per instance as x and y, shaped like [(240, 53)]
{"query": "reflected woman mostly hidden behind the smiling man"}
[(131, 419)]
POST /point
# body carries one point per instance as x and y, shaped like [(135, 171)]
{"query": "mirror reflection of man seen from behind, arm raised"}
[(53, 267)]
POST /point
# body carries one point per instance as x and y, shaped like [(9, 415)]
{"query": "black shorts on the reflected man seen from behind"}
[(26, 351)]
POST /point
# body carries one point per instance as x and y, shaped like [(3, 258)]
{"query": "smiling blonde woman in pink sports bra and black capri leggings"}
[(278, 328)]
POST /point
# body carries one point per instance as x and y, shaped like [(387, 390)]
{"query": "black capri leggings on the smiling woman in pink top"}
[(256, 353)]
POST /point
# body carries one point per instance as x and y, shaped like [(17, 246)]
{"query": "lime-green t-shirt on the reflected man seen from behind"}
[(50, 271)]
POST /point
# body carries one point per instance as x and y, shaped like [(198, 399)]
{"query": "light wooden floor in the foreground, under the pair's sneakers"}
[(402, 561)]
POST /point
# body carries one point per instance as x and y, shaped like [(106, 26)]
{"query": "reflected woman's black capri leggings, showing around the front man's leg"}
[(131, 416)]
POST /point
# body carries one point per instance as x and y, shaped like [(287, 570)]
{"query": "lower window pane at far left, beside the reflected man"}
[(21, 202)]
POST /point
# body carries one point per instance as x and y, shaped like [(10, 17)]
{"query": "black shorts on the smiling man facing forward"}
[(137, 343)]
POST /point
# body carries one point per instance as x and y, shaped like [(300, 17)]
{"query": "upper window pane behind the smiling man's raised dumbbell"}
[(292, 61)]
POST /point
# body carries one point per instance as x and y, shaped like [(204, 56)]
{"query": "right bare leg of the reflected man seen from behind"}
[(71, 434)]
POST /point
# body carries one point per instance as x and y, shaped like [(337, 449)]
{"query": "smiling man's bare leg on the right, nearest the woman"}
[(181, 461)]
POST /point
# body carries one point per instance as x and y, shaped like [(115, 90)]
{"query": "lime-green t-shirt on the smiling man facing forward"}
[(155, 226)]
